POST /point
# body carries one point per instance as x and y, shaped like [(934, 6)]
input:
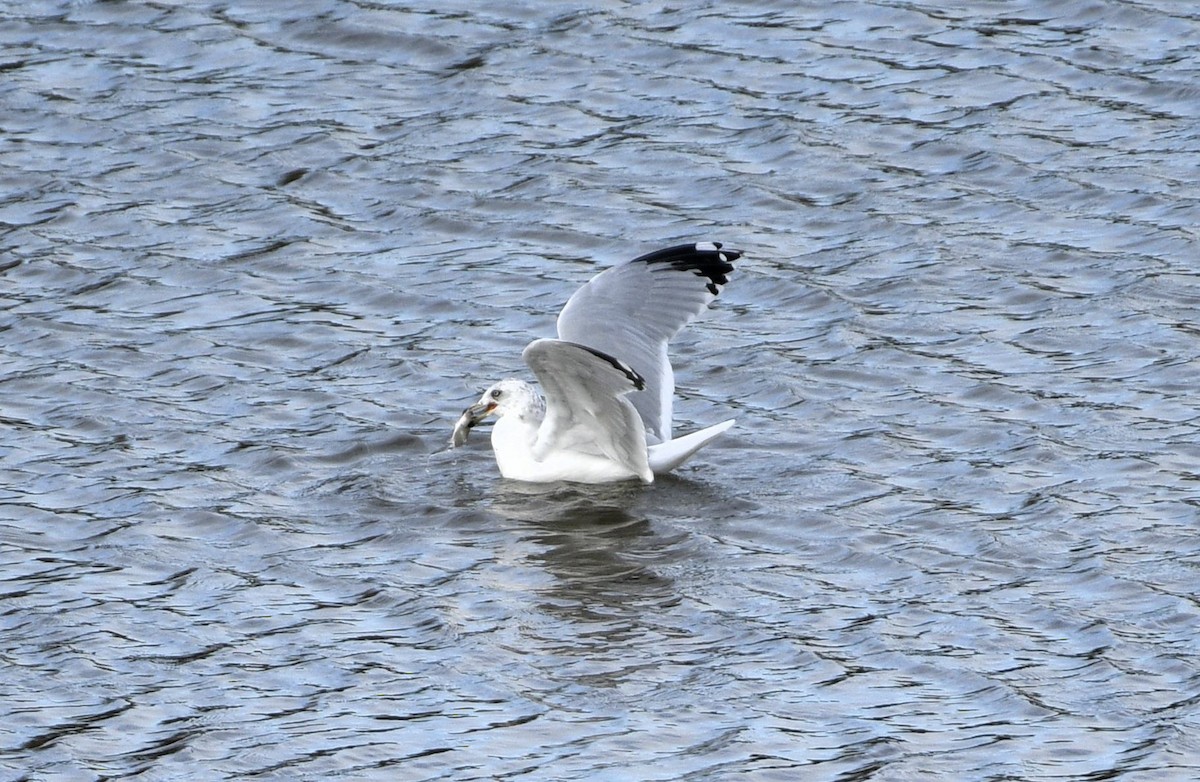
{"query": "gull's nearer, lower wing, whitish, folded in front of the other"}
[(586, 405)]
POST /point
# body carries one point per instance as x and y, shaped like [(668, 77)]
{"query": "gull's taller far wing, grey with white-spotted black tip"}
[(632, 311)]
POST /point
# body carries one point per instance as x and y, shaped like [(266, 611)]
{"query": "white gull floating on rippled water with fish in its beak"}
[(604, 412)]
